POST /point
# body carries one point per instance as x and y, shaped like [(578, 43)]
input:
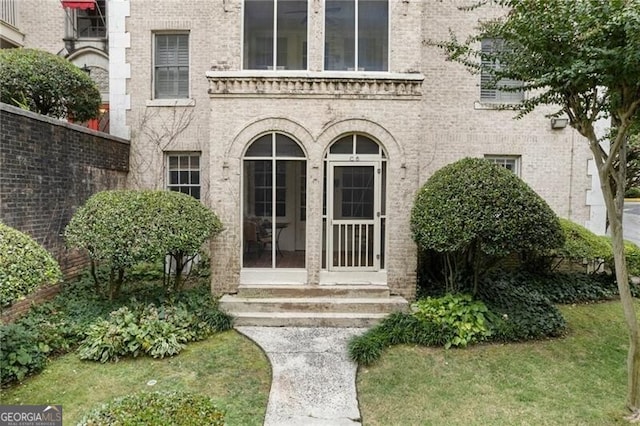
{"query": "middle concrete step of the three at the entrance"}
[(235, 304)]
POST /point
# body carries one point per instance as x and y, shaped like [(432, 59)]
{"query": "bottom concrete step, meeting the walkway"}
[(307, 319)]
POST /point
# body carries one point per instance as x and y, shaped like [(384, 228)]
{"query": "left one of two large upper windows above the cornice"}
[(275, 34)]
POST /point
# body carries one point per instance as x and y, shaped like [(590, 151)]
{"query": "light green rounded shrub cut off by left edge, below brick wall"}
[(24, 265)]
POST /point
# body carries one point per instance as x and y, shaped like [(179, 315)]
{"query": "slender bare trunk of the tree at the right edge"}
[(615, 206)]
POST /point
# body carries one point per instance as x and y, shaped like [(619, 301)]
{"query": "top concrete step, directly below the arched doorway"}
[(288, 290)]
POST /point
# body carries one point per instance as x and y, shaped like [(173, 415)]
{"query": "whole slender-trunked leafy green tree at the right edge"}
[(582, 56)]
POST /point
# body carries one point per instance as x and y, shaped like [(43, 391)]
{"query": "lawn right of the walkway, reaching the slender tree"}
[(577, 380)]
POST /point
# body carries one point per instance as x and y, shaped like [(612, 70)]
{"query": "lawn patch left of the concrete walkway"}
[(227, 367)]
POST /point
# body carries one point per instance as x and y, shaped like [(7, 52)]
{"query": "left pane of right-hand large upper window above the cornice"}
[(339, 32)]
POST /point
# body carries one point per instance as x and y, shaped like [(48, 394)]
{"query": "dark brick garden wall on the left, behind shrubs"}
[(48, 168)]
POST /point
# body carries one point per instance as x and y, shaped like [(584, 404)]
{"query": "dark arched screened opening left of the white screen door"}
[(274, 203)]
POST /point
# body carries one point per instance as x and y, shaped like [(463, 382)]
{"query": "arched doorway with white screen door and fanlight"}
[(354, 205)]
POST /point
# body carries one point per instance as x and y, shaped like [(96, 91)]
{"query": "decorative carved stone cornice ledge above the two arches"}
[(308, 84)]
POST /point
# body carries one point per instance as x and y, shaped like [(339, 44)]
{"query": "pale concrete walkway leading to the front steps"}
[(313, 379)]
